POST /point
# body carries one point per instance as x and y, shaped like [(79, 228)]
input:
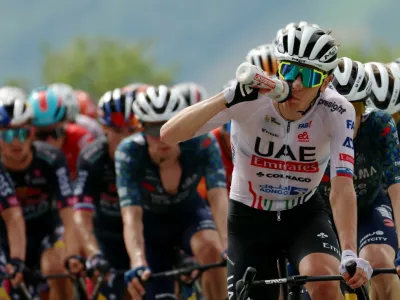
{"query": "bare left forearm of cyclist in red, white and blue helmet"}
[(84, 224)]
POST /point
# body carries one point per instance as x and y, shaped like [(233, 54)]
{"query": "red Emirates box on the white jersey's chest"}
[(311, 167)]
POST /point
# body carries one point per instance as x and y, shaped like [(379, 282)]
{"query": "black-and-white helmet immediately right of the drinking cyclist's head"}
[(351, 80)]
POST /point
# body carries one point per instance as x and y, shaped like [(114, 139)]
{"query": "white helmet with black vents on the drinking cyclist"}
[(308, 45)]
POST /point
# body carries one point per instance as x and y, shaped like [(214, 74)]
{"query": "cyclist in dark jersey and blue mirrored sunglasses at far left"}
[(41, 179)]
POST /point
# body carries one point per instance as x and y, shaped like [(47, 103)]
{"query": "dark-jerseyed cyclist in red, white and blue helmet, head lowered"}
[(97, 213)]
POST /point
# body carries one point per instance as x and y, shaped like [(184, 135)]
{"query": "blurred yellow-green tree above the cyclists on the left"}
[(100, 64)]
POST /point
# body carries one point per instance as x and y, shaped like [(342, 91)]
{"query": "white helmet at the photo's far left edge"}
[(14, 107)]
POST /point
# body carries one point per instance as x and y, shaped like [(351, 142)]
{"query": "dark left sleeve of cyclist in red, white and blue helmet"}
[(86, 188)]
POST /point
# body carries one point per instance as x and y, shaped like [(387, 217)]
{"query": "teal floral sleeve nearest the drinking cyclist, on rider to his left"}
[(215, 176)]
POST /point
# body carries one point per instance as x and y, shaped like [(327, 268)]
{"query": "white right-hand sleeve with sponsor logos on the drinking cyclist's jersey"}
[(341, 142)]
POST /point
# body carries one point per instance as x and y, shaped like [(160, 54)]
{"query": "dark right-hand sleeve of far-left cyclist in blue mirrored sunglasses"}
[(62, 182)]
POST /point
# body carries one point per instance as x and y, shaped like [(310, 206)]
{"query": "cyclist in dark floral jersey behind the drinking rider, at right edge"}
[(376, 162)]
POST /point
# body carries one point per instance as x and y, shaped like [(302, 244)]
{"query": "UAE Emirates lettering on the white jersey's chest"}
[(304, 161)]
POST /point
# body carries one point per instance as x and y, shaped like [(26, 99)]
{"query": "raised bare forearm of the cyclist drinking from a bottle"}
[(185, 124)]
